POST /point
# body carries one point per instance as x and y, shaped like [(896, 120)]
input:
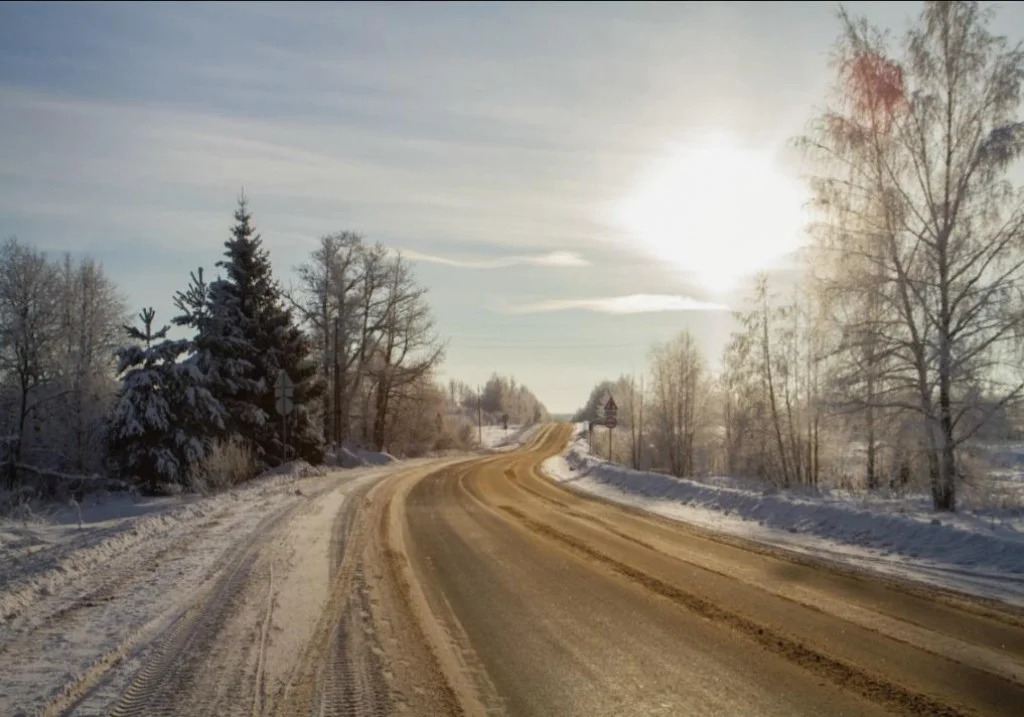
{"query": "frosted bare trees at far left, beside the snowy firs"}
[(60, 326)]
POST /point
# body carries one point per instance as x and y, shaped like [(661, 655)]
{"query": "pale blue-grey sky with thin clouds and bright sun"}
[(574, 183)]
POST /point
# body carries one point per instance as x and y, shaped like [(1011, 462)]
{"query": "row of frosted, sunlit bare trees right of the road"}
[(902, 349)]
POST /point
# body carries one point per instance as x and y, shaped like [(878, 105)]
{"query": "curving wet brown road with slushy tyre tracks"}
[(476, 586)]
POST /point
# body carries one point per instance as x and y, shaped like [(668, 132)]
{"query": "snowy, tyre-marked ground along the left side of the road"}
[(86, 588)]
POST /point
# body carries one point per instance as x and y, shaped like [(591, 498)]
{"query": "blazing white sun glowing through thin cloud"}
[(717, 212)]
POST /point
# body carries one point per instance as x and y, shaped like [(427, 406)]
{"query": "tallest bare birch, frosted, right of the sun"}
[(925, 226)]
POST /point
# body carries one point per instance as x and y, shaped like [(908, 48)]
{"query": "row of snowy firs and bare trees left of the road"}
[(87, 394)]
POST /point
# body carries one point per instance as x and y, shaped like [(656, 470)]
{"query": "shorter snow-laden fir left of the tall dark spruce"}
[(164, 416)]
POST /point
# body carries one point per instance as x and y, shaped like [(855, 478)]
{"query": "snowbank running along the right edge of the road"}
[(980, 553)]
